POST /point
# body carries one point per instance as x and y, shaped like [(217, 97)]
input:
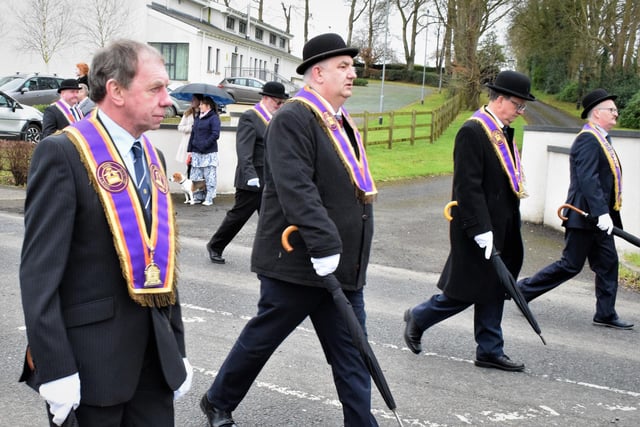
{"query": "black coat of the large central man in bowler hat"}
[(307, 185)]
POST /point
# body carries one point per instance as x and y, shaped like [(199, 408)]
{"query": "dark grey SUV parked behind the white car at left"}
[(32, 89)]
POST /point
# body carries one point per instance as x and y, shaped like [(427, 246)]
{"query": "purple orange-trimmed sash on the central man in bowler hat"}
[(356, 163)]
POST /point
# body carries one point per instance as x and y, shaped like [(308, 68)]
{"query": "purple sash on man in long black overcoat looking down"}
[(510, 165)]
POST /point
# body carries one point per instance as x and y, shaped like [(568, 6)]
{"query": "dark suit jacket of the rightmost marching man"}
[(591, 186)]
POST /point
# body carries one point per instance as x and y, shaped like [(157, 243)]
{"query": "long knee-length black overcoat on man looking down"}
[(486, 202)]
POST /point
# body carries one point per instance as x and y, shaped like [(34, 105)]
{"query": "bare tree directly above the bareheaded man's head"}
[(106, 20)]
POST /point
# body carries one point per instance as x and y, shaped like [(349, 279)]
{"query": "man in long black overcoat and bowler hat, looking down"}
[(488, 184)]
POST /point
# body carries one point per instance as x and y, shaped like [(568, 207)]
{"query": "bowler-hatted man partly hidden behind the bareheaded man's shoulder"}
[(63, 112)]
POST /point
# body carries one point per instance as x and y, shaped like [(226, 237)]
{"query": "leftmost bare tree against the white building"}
[(45, 29)]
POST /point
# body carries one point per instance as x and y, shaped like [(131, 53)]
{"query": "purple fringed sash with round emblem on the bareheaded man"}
[(147, 257)]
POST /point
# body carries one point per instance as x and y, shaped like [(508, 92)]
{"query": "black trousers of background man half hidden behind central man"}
[(246, 203)]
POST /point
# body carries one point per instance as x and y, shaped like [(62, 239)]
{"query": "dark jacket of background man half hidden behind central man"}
[(250, 150)]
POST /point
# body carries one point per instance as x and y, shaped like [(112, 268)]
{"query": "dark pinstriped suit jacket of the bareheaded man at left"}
[(77, 309)]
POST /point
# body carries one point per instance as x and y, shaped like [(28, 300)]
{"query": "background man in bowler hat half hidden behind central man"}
[(250, 168)]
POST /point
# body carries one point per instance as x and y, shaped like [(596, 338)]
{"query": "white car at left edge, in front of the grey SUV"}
[(19, 121)]
